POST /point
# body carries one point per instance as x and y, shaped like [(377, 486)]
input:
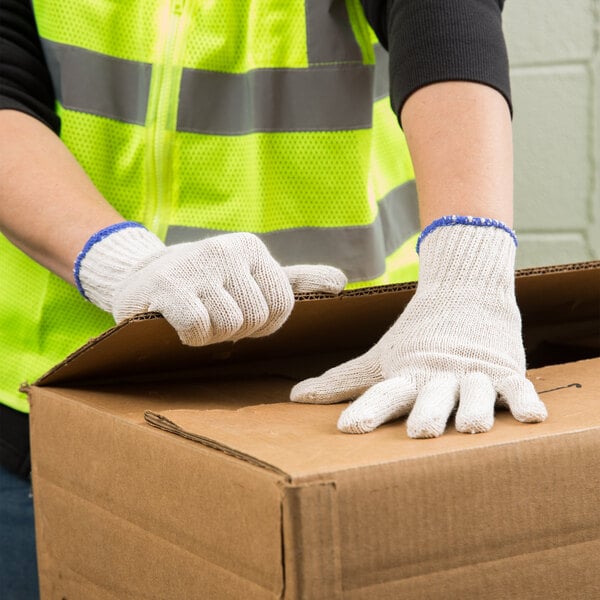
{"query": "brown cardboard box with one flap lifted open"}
[(162, 471)]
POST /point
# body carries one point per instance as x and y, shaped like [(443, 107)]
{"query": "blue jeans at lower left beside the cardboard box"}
[(18, 564)]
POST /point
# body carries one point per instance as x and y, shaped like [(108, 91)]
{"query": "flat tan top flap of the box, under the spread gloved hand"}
[(275, 435)]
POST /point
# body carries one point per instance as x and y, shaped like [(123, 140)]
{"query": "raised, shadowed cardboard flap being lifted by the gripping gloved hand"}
[(559, 304)]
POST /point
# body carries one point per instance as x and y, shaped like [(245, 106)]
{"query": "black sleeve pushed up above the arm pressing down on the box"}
[(440, 40)]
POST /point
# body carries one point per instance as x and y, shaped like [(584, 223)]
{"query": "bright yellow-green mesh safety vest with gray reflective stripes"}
[(197, 118)]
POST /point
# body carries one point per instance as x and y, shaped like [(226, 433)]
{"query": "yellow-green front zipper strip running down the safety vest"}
[(161, 120)]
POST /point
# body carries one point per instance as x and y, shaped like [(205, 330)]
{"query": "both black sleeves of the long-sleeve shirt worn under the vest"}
[(428, 41)]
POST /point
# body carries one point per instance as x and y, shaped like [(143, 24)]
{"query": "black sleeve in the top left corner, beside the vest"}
[(25, 83)]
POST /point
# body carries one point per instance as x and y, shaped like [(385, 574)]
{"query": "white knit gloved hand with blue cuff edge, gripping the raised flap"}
[(223, 288)]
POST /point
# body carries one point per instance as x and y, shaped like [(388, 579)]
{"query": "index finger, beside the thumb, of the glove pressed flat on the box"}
[(385, 401)]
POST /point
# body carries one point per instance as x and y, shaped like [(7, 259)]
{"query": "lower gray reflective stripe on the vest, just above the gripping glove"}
[(360, 251)]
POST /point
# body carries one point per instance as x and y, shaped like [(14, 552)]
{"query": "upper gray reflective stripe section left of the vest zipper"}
[(98, 84)]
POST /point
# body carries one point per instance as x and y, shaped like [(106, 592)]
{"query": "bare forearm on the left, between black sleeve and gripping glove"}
[(48, 206)]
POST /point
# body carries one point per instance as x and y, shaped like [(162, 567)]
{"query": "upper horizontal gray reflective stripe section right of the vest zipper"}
[(318, 99)]
